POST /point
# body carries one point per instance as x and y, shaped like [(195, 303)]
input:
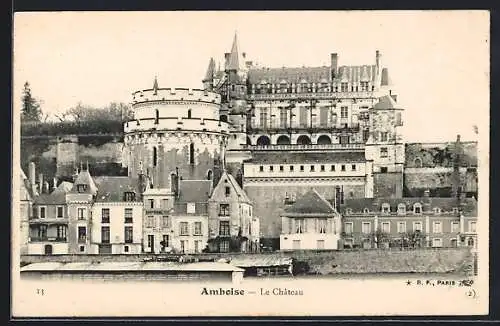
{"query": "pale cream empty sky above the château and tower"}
[(438, 61)]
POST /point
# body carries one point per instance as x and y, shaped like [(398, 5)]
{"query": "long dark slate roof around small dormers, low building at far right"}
[(374, 205)]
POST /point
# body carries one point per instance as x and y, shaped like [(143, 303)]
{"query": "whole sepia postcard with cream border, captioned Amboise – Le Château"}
[(250, 163)]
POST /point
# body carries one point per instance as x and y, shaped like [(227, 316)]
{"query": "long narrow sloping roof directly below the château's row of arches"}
[(306, 157)]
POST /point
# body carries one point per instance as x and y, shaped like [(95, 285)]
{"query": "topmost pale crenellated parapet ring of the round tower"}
[(175, 94)]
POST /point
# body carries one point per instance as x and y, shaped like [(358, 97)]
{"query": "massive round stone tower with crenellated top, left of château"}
[(175, 132)]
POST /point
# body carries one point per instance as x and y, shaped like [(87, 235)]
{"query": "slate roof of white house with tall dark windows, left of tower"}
[(112, 189)]
